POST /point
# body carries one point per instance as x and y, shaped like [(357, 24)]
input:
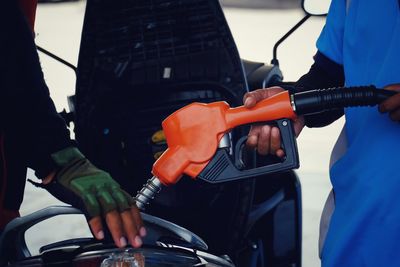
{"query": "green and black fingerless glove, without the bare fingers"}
[(86, 187)]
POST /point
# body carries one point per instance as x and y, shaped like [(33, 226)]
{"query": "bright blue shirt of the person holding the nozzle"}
[(365, 227)]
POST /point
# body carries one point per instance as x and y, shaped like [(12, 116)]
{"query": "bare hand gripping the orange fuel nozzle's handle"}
[(266, 138)]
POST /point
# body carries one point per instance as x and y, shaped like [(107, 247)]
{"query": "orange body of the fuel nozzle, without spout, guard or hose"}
[(193, 133)]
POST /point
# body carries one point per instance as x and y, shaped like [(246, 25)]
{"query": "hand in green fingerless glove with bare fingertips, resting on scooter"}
[(79, 183)]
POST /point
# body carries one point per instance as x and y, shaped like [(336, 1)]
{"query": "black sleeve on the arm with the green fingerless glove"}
[(25, 103)]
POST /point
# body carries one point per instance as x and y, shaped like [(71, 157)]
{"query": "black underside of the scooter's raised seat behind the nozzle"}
[(140, 60)]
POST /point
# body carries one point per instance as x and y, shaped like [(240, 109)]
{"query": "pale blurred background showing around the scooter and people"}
[(256, 25)]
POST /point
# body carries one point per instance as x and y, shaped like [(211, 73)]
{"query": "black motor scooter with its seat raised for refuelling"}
[(162, 57)]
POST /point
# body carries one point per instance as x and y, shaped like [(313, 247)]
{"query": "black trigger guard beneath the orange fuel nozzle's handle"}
[(224, 167)]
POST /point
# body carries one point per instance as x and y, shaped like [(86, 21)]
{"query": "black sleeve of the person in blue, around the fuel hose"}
[(324, 73)]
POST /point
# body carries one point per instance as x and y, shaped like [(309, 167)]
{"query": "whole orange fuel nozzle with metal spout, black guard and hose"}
[(194, 132)]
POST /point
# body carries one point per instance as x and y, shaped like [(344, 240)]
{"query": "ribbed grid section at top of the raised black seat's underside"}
[(161, 31)]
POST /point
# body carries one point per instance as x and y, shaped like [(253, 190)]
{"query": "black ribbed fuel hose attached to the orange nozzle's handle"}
[(319, 100)]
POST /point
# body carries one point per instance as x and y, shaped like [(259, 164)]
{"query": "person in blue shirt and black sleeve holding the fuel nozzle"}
[(359, 45)]
